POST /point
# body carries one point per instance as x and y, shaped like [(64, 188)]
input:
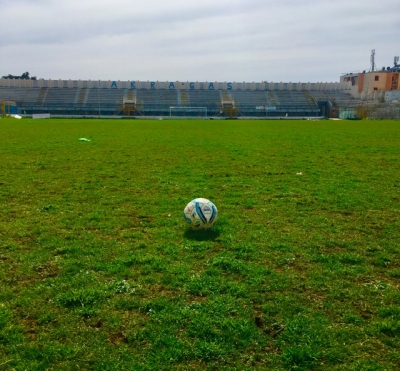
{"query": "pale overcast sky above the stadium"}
[(197, 40)]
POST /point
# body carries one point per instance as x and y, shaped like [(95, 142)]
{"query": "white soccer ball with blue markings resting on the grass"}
[(200, 213)]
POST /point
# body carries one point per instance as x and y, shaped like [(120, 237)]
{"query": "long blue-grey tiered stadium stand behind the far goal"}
[(85, 98)]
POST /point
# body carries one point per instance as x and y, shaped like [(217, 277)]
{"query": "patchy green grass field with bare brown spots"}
[(99, 272)]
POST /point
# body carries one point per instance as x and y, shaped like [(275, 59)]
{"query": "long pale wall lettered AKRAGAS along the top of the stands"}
[(174, 85)]
